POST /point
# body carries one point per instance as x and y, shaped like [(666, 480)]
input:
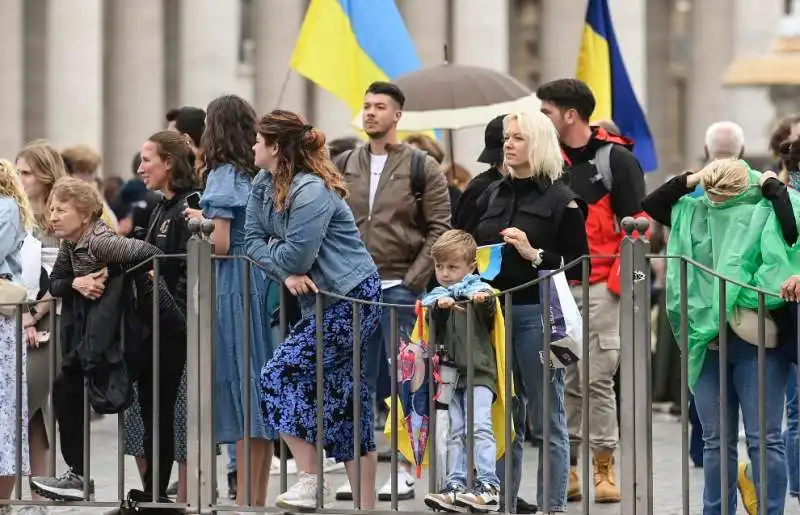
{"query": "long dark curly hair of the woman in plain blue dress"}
[(230, 134)]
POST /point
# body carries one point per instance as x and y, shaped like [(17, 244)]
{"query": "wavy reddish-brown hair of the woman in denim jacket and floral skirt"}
[(301, 148)]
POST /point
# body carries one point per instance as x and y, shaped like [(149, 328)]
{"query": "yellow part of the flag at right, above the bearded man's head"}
[(594, 68)]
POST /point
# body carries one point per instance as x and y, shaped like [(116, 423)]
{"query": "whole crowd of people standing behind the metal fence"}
[(389, 221)]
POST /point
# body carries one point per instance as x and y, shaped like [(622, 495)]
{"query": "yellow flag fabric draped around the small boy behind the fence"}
[(498, 408)]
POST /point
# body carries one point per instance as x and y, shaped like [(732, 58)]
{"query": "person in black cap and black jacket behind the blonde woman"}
[(467, 213)]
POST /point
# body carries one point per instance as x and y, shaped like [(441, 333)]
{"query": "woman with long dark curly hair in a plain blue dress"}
[(227, 145)]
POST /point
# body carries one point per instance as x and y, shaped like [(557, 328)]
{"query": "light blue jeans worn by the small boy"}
[(485, 444)]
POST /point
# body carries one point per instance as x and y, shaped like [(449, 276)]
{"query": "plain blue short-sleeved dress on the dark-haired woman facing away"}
[(225, 197)]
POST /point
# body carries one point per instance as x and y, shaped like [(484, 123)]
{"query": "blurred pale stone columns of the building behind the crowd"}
[(104, 72)]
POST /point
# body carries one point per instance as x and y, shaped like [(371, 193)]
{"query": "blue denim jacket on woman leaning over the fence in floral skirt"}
[(315, 235)]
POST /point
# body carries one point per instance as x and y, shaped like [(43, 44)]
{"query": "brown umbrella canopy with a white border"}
[(452, 96)]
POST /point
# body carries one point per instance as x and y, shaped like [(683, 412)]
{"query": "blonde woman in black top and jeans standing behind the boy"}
[(542, 223)]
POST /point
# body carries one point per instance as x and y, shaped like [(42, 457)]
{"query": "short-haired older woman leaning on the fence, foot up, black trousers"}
[(90, 254)]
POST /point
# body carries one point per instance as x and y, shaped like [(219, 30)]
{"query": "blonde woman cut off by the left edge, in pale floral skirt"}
[(16, 220)]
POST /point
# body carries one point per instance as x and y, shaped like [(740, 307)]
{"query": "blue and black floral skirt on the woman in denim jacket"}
[(288, 380)]
